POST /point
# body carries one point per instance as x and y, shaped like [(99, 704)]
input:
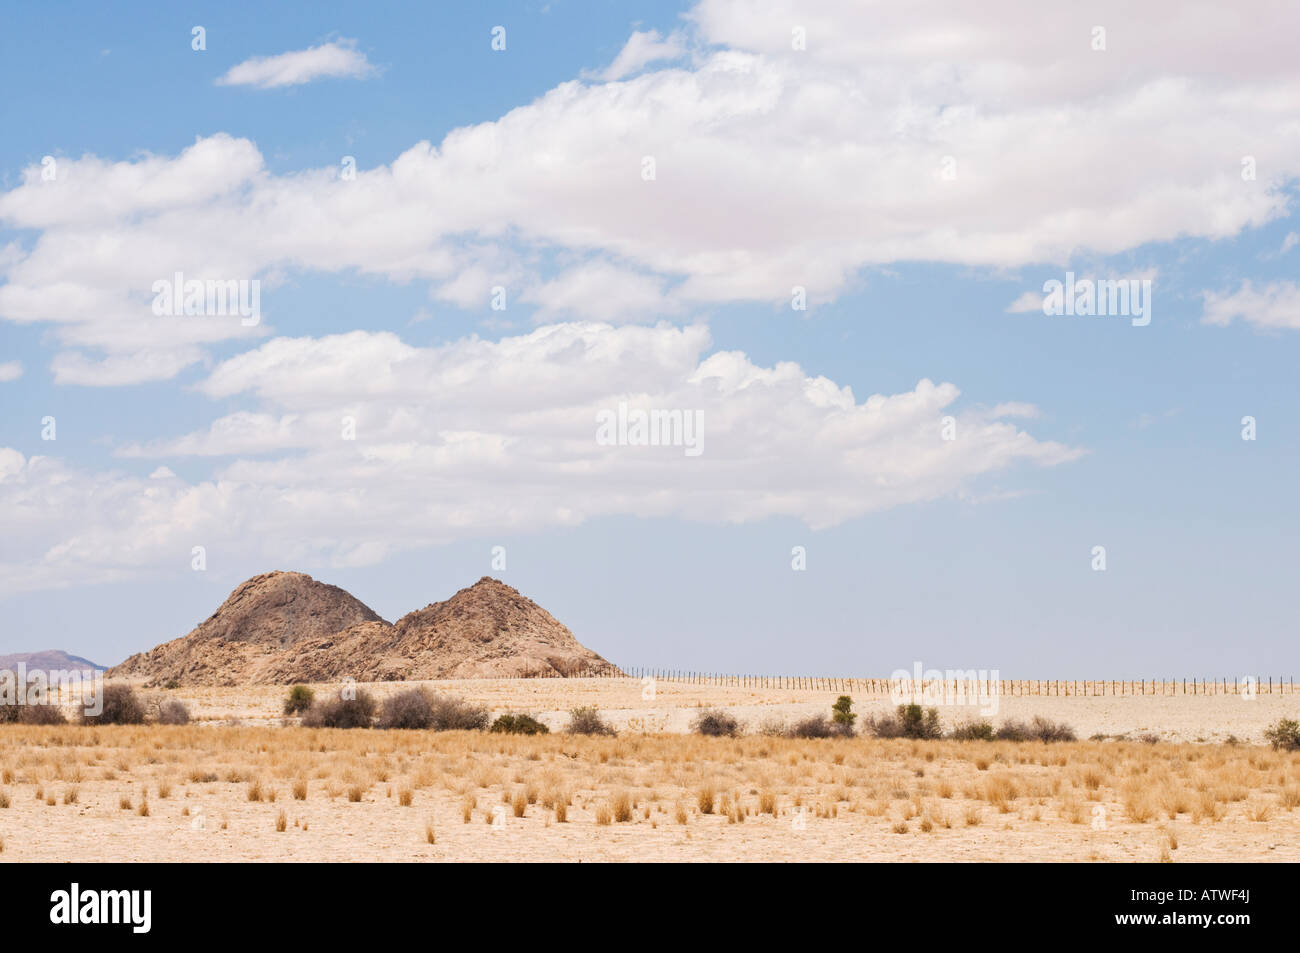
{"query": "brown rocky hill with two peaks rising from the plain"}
[(285, 627)]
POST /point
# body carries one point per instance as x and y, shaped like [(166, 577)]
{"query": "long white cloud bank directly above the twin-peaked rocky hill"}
[(480, 436)]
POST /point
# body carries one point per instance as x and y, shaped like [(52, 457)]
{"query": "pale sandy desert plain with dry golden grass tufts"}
[(1152, 779)]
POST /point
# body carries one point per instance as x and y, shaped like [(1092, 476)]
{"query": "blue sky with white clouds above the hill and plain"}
[(825, 232)]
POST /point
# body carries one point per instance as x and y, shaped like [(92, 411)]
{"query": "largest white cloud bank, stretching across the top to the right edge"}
[(775, 167)]
